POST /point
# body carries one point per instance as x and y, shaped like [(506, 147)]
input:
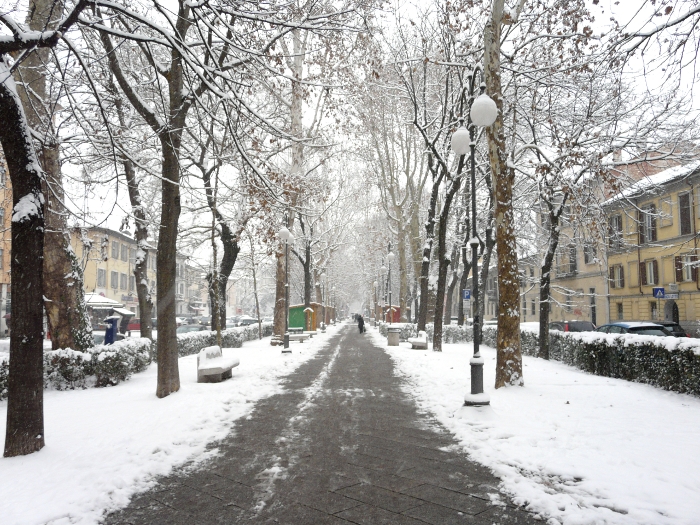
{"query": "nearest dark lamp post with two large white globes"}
[(482, 112)]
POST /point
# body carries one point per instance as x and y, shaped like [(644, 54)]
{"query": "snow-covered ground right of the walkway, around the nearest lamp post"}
[(578, 448)]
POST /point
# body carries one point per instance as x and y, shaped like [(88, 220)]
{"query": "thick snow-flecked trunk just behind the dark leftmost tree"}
[(63, 277)]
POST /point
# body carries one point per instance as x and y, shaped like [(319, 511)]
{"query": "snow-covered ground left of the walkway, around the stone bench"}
[(105, 444)]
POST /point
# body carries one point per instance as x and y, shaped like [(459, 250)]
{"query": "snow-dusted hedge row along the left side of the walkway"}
[(109, 365)]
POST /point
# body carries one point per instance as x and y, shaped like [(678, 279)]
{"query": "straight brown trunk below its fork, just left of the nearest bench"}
[(168, 369)]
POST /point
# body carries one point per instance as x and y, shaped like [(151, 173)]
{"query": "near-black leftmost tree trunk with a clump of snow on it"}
[(25, 391)]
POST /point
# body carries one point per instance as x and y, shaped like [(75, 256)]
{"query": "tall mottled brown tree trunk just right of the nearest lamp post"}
[(509, 360)]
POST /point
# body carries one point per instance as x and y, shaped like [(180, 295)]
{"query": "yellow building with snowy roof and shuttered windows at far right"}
[(652, 244)]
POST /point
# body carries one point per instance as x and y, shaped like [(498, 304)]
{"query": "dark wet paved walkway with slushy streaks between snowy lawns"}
[(343, 444)]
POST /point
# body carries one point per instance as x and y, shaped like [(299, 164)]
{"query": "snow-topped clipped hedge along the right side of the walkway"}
[(670, 363)]
